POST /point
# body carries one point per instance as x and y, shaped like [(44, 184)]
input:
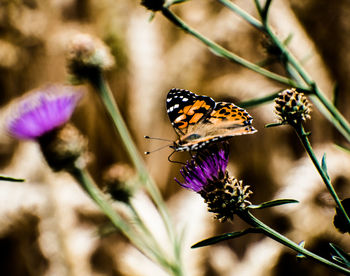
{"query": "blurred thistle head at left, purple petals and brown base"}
[(43, 116)]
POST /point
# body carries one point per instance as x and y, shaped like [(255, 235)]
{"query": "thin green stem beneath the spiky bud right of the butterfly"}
[(306, 143)]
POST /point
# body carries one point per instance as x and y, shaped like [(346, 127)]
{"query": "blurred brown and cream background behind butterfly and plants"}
[(48, 226)]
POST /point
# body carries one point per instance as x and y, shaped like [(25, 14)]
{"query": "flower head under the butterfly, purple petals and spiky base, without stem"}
[(206, 174)]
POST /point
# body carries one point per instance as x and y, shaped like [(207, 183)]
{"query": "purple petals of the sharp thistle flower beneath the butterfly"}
[(207, 166)]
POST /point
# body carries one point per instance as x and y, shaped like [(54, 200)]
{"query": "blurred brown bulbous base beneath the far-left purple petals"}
[(64, 148)]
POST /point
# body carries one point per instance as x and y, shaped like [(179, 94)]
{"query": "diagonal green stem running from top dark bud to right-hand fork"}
[(220, 51)]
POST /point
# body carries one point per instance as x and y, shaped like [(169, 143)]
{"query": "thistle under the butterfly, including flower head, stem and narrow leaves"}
[(226, 196)]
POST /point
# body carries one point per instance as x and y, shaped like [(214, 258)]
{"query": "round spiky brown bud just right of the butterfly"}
[(292, 107)]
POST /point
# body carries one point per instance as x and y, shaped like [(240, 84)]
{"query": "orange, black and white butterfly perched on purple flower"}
[(199, 120)]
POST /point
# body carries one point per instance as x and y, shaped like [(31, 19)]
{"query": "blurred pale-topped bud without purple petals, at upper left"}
[(86, 56)]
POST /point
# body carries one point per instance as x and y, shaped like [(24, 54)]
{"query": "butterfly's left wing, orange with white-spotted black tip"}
[(185, 108)]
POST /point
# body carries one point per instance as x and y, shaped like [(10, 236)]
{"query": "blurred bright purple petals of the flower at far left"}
[(43, 111)]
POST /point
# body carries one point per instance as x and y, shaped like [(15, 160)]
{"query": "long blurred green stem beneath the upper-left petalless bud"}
[(102, 87)]
